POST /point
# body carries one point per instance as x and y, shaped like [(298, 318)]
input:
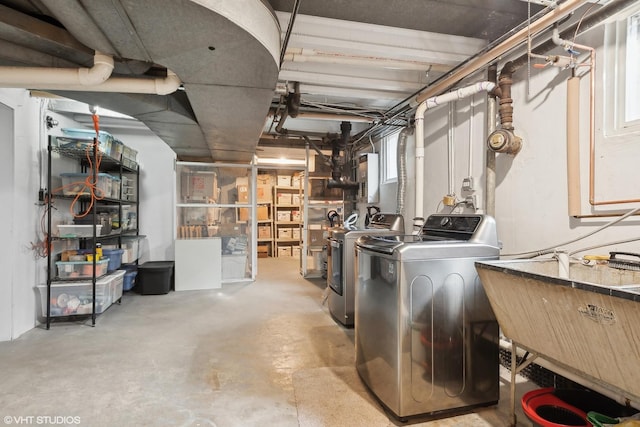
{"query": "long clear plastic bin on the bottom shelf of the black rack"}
[(71, 298)]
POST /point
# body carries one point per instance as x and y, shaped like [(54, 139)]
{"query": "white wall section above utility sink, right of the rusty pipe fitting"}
[(531, 198)]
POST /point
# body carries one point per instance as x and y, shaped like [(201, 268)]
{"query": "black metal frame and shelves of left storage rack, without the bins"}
[(107, 165)]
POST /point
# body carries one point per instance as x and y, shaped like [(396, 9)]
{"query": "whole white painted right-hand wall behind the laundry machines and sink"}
[(531, 194)]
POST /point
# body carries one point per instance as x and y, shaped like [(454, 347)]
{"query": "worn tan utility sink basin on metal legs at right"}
[(584, 318)]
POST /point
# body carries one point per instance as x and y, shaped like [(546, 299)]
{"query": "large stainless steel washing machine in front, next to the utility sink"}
[(426, 337)]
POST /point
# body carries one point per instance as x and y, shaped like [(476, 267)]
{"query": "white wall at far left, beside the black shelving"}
[(18, 189)]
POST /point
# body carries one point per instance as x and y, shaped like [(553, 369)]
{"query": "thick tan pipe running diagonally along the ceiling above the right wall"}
[(520, 37)]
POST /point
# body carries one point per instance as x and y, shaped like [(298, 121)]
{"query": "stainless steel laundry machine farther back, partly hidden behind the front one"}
[(341, 262)]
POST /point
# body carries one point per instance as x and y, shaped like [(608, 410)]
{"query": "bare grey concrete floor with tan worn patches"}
[(260, 354)]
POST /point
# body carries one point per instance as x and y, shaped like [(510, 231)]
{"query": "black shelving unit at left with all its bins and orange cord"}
[(87, 232)]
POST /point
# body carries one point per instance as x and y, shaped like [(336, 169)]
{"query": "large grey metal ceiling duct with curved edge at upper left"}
[(225, 54)]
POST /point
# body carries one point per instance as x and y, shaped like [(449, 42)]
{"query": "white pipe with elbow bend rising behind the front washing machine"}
[(419, 119)]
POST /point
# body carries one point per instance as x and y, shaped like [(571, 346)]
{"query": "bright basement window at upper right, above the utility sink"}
[(622, 74)]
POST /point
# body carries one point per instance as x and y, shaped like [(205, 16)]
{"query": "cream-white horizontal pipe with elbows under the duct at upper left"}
[(94, 79)]
